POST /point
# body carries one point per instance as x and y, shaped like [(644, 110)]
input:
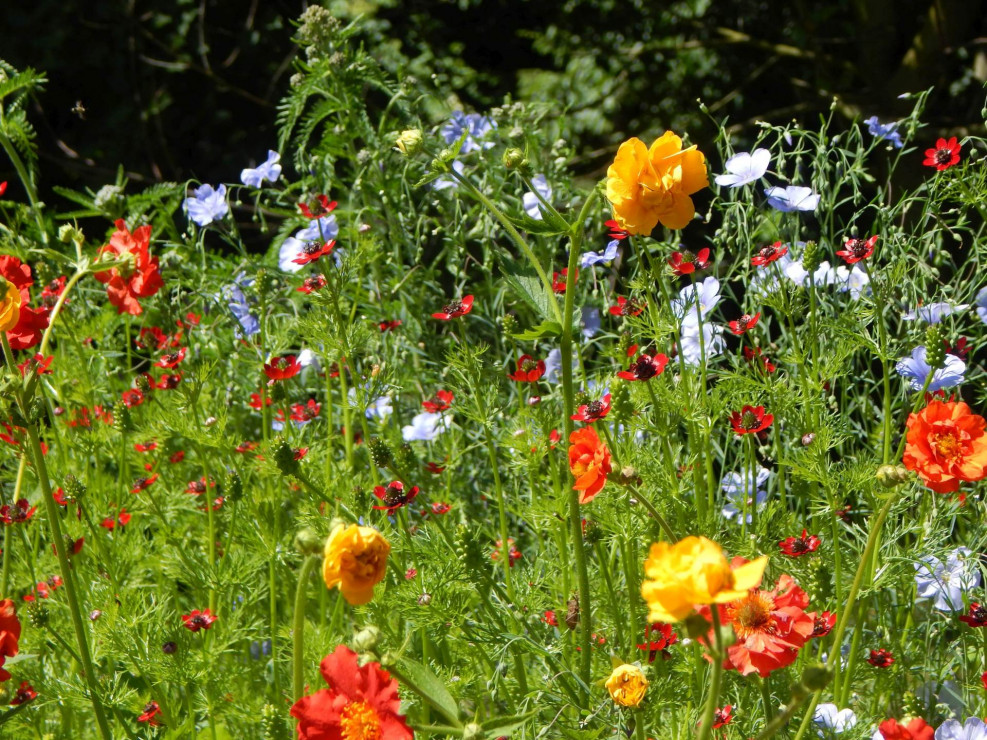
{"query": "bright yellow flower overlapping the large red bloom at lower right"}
[(694, 571)]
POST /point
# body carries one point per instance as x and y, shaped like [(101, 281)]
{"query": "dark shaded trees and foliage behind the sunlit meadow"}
[(174, 89)]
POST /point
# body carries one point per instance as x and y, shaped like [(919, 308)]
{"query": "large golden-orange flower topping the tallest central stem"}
[(651, 186)]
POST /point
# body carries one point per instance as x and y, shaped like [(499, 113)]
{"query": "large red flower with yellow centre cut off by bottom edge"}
[(361, 702)]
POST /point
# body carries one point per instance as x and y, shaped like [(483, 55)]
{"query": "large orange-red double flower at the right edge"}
[(945, 445)]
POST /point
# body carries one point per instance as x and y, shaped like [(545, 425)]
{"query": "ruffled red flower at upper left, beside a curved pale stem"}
[(139, 278)]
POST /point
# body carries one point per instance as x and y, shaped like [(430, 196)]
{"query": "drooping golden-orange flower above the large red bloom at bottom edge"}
[(356, 561)]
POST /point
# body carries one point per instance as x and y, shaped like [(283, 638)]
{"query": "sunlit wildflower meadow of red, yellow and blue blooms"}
[(477, 446)]
